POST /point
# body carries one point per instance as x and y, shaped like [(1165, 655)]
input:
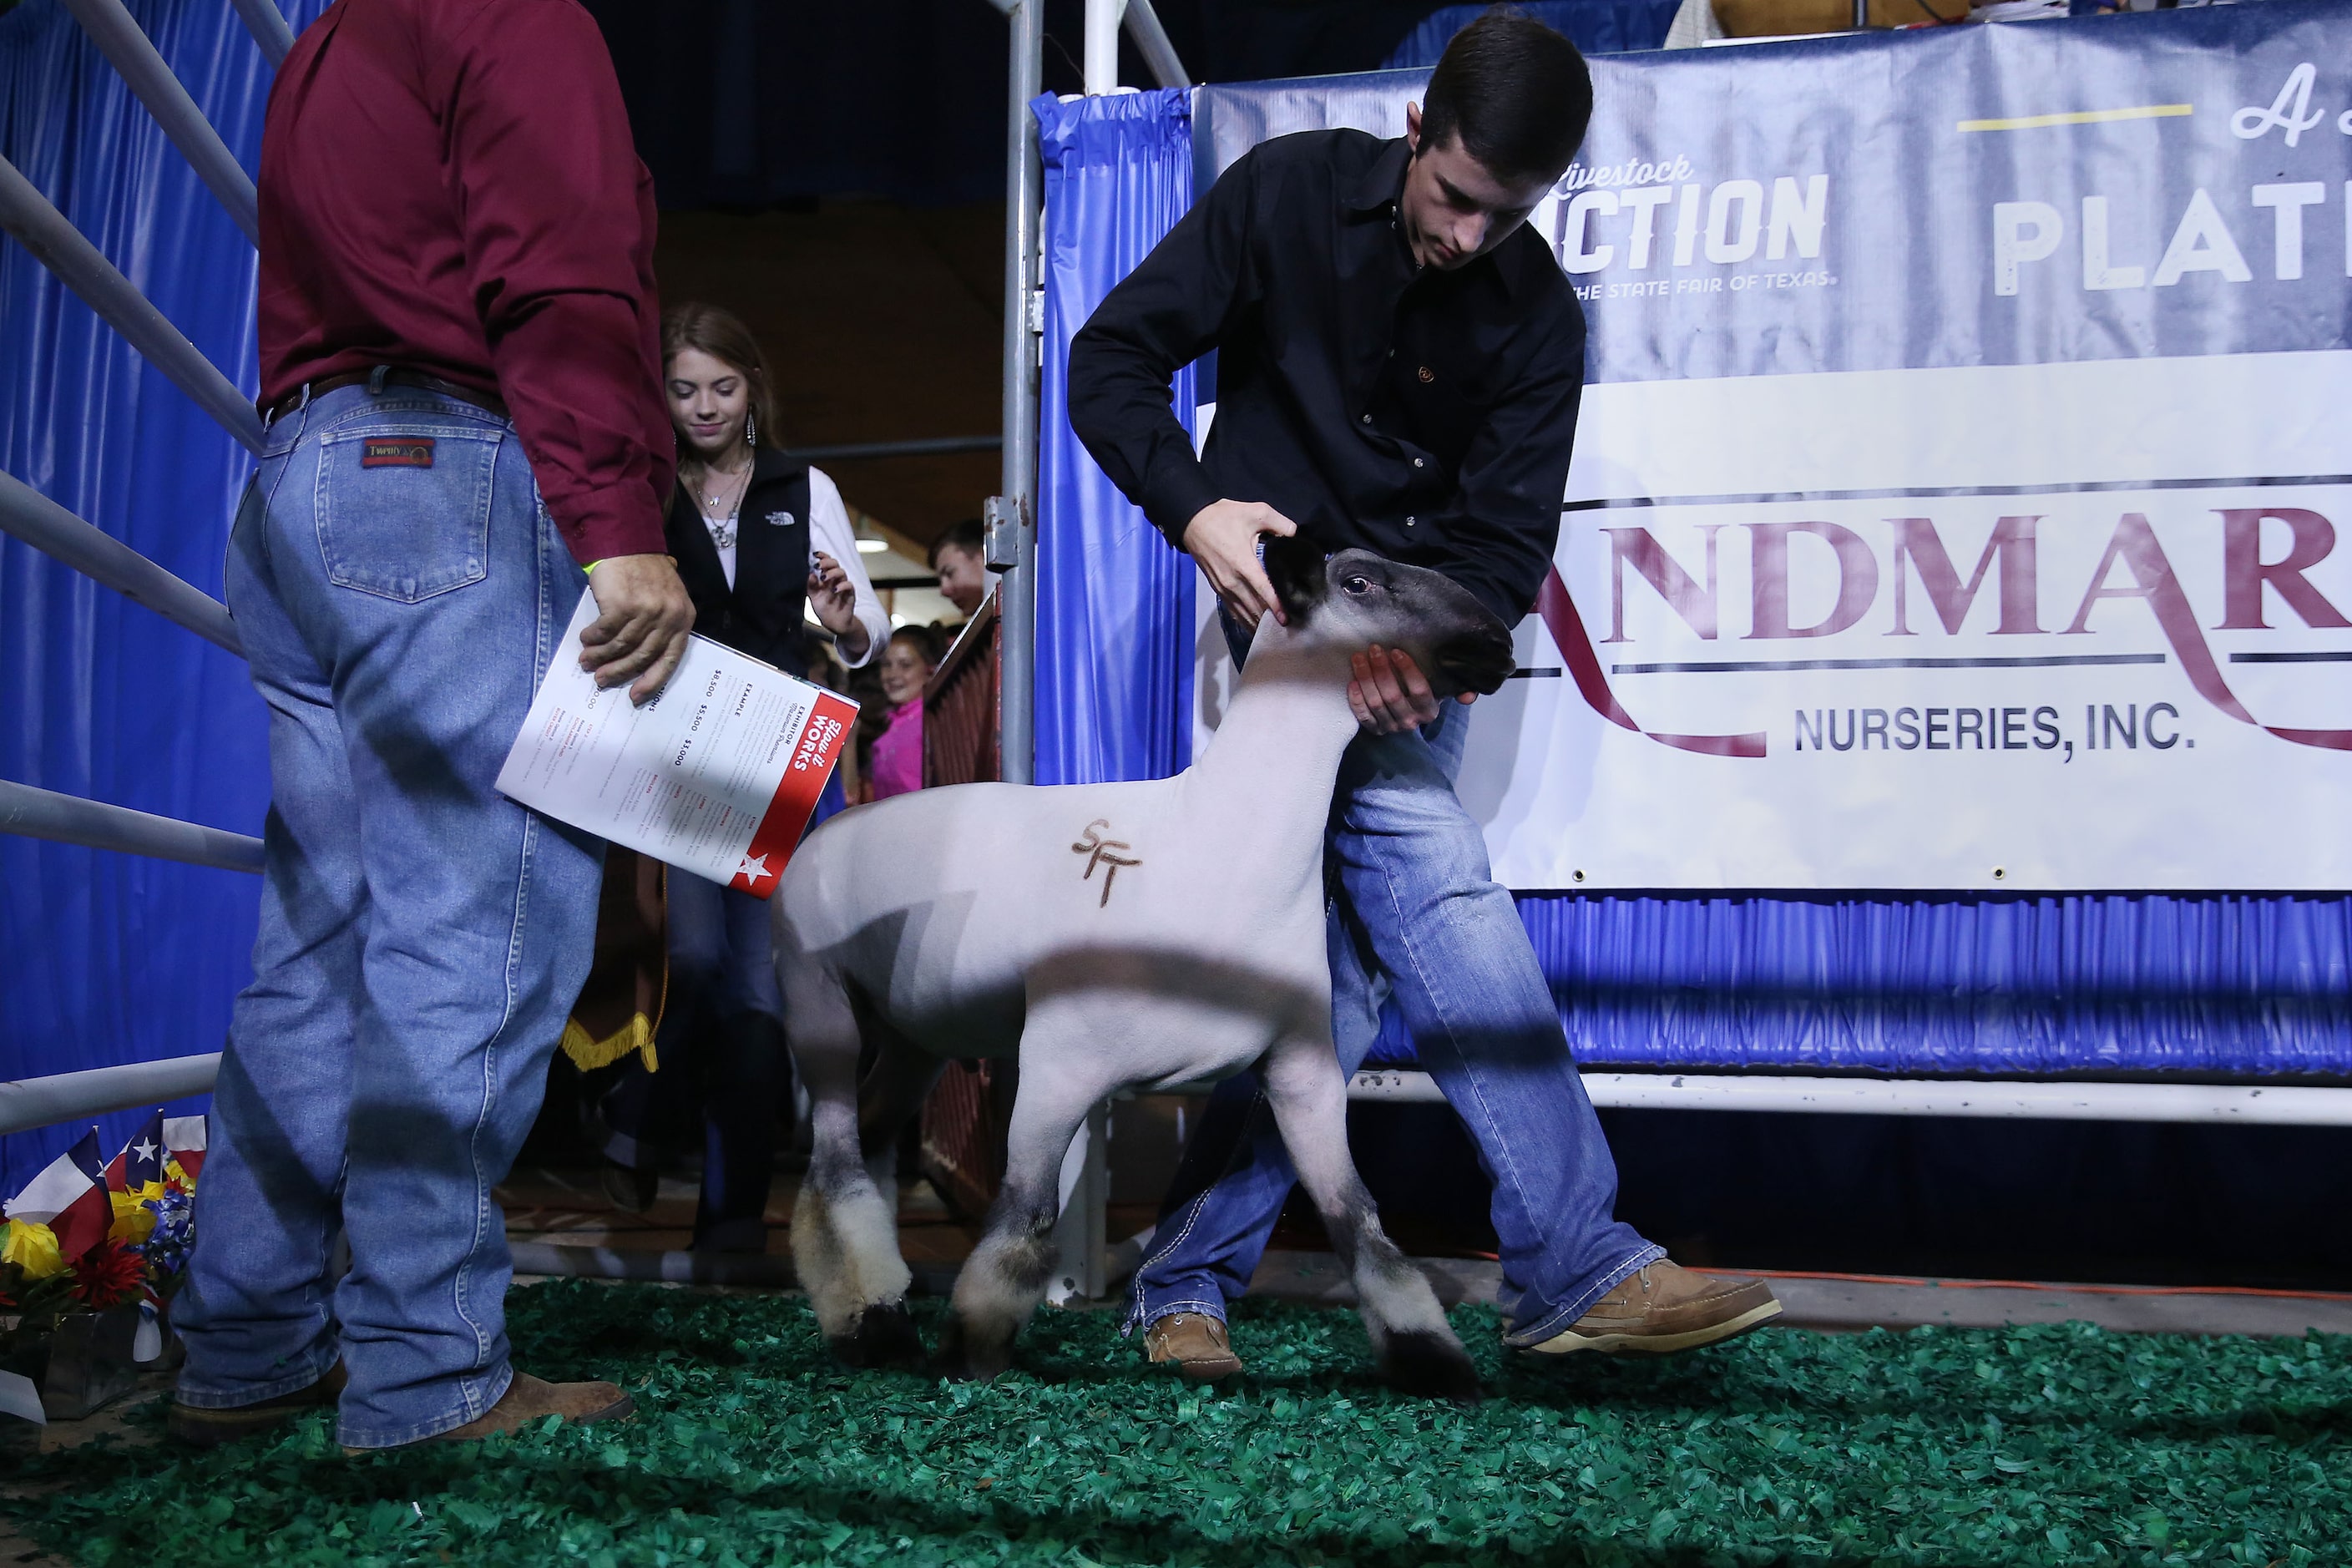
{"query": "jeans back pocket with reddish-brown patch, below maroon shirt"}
[(403, 504)]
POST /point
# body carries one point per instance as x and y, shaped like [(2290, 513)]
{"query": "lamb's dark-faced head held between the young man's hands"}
[(1358, 598)]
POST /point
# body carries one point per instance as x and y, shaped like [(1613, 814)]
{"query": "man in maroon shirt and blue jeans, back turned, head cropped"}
[(460, 363)]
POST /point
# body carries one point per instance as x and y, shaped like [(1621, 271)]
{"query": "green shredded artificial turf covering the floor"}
[(1932, 1447)]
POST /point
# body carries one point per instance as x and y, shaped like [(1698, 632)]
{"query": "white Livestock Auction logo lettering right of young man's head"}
[(1659, 217)]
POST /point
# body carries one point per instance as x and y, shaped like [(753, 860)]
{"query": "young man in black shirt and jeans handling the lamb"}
[(1398, 370)]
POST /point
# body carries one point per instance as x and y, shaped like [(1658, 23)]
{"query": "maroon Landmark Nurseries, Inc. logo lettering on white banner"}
[(1963, 634)]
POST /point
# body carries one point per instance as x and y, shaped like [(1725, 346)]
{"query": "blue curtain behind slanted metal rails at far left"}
[(114, 958)]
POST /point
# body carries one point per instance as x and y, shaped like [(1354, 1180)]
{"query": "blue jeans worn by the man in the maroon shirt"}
[(422, 939)]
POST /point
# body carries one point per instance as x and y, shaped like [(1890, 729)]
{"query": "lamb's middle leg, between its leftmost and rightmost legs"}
[(1015, 1261)]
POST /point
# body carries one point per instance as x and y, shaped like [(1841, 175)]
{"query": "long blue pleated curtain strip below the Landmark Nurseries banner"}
[(2069, 986)]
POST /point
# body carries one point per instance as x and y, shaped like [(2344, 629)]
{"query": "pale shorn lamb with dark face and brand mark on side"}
[(1114, 937)]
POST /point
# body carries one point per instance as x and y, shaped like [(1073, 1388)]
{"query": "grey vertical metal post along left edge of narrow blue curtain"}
[(1017, 509)]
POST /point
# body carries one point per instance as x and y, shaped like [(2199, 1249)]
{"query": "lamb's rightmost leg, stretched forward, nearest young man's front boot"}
[(1401, 1313)]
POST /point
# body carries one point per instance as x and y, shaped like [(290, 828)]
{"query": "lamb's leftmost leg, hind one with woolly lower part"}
[(846, 1233)]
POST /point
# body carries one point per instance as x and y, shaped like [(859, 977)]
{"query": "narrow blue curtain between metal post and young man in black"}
[(1114, 596)]
